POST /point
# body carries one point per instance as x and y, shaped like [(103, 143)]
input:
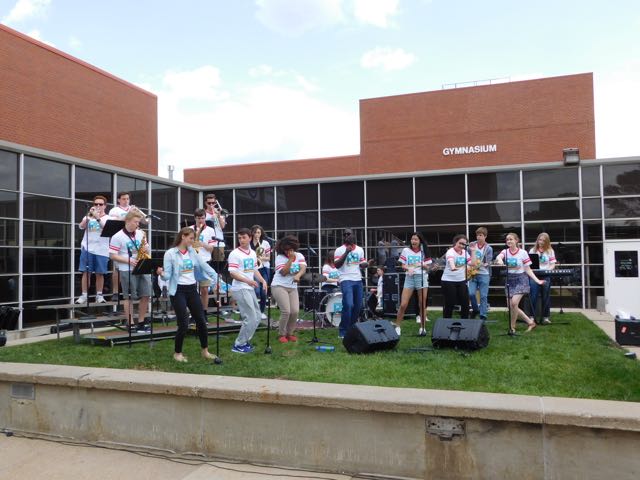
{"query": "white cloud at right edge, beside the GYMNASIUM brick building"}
[(617, 104)]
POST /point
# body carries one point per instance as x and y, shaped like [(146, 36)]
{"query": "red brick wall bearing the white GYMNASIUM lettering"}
[(529, 121)]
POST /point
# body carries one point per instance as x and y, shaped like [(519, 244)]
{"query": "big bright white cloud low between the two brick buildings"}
[(259, 122)]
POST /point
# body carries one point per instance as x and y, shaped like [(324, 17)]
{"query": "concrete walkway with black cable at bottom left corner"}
[(26, 458)]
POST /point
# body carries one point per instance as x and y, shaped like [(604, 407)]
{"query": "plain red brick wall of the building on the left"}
[(53, 101)]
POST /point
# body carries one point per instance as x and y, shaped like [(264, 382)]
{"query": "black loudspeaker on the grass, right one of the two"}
[(464, 334)]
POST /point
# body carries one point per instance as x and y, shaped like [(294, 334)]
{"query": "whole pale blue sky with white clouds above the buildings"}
[(264, 80)]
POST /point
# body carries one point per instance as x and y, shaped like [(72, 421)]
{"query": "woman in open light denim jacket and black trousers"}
[(182, 268)]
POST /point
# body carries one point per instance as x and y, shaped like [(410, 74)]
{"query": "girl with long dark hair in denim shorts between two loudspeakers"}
[(415, 260)]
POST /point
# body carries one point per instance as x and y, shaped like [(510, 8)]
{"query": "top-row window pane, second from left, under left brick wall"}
[(46, 177)]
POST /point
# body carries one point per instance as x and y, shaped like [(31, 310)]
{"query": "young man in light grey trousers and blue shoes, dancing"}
[(243, 268)]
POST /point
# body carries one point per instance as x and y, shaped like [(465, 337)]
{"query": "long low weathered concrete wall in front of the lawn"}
[(338, 428)]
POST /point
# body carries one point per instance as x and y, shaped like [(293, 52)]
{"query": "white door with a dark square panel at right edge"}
[(622, 283)]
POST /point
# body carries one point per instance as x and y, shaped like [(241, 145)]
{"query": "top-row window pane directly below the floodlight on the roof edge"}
[(556, 183)]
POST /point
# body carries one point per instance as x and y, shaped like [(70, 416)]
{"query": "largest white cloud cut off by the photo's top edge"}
[(295, 17)]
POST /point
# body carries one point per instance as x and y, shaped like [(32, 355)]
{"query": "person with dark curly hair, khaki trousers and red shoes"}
[(290, 266)]
